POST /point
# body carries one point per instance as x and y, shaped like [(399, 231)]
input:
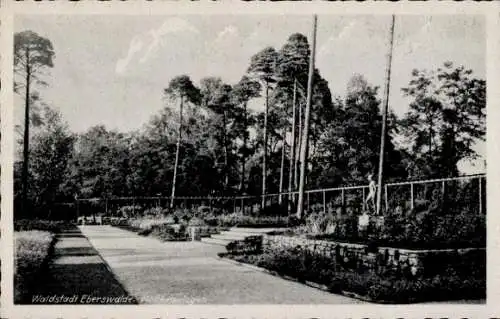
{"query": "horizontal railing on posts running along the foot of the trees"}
[(326, 199)]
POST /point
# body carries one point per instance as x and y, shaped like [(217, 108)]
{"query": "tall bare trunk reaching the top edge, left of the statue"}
[(305, 133)]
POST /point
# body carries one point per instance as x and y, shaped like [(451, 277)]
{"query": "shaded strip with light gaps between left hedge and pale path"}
[(76, 274)]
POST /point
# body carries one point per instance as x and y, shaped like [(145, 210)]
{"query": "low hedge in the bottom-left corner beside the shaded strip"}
[(31, 251)]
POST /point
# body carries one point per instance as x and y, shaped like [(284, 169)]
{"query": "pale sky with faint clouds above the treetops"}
[(112, 70)]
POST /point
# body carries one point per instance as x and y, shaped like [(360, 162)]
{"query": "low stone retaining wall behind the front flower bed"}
[(358, 256)]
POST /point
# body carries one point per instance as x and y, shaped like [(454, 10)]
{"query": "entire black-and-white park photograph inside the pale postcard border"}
[(249, 159)]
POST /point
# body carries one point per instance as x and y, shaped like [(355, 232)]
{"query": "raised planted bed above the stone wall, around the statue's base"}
[(430, 229)]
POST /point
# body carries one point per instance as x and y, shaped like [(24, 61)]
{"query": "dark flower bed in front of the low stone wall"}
[(384, 287)]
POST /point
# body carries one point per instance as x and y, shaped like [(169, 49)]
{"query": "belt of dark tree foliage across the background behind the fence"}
[(225, 136)]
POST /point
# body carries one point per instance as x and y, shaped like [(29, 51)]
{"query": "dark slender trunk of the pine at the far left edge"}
[(26, 138)]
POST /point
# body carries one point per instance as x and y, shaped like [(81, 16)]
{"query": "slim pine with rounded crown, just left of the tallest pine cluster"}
[(263, 67)]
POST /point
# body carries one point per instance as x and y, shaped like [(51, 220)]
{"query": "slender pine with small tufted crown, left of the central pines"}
[(180, 88)]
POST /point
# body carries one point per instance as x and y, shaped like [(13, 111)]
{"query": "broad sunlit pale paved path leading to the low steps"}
[(191, 273)]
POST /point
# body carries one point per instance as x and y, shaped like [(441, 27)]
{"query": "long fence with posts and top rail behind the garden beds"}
[(465, 192)]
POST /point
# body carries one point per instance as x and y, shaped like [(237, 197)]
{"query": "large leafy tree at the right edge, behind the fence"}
[(445, 120)]
